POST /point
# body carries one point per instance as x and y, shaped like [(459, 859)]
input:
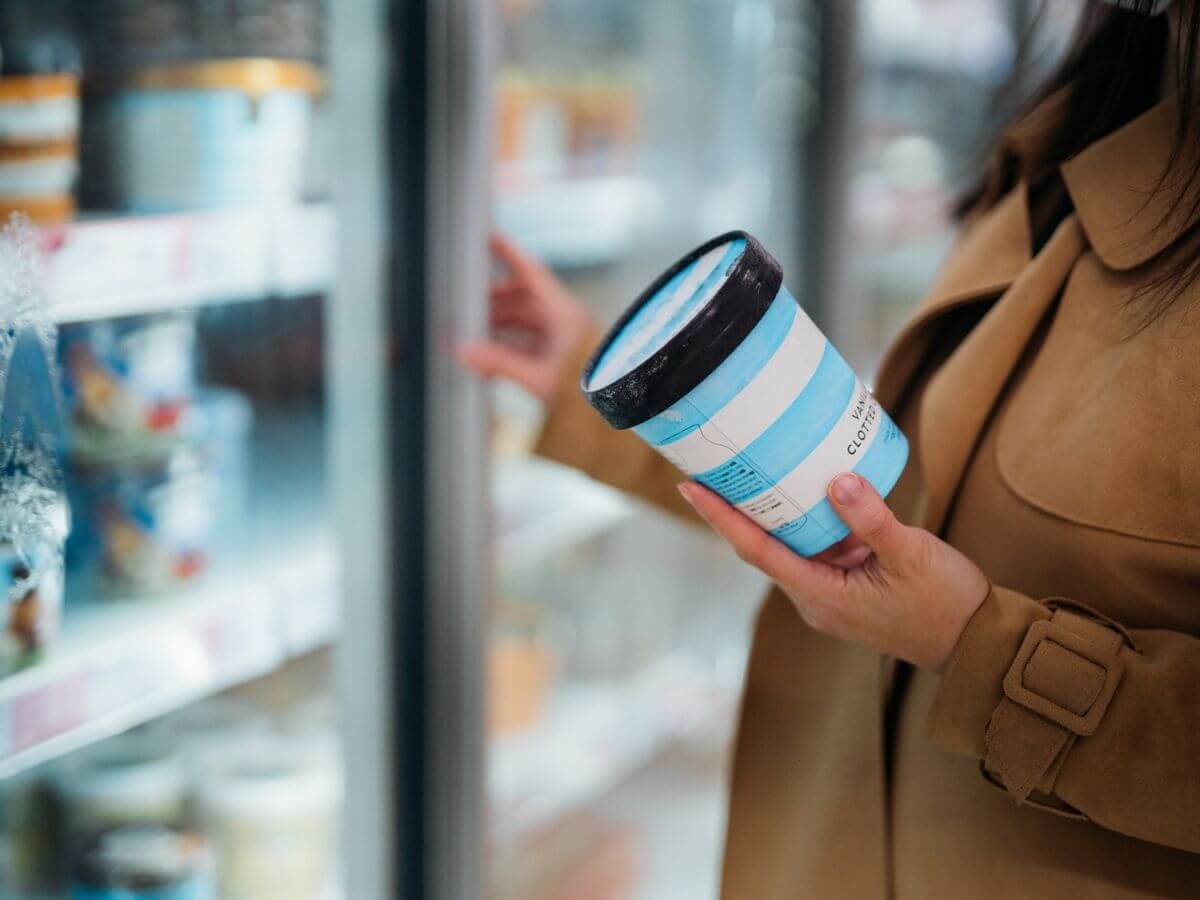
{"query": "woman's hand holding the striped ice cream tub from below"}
[(896, 589)]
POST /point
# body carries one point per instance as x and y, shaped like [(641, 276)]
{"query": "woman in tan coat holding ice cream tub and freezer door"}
[(997, 691)]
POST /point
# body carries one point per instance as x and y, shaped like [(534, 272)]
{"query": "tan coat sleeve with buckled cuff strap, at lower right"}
[(1071, 712)]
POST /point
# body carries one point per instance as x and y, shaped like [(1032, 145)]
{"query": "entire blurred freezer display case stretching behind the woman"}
[(316, 581)]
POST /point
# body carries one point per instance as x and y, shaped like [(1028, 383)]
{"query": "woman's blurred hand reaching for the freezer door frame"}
[(536, 323)]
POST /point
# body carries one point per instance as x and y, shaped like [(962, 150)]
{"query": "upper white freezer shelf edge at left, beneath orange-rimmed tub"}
[(109, 267)]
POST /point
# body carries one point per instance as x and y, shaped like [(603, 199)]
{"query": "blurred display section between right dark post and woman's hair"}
[(928, 88)]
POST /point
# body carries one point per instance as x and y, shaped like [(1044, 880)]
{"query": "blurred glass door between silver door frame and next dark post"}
[(626, 135)]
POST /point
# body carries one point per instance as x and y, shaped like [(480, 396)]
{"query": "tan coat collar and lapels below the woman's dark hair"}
[(1118, 215)]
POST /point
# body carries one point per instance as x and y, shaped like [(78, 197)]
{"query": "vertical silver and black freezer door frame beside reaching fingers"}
[(410, 471)]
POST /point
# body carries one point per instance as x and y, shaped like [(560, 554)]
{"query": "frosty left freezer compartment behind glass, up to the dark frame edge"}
[(213, 400)]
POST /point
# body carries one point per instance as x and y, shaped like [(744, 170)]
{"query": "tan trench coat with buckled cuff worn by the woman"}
[(1059, 755)]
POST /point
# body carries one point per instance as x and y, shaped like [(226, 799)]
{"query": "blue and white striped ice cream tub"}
[(775, 423)]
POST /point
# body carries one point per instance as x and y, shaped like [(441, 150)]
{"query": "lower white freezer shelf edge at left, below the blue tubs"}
[(124, 663)]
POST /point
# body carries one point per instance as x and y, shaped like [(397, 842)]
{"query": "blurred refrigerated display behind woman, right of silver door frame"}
[(626, 134)]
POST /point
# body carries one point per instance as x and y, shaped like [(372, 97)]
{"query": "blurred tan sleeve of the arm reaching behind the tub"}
[(575, 435)]
